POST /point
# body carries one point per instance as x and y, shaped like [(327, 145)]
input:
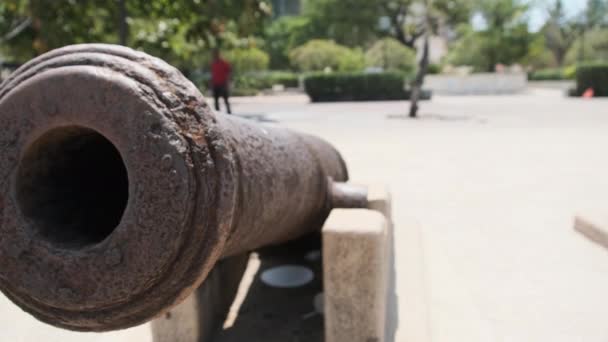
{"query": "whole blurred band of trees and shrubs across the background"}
[(272, 42)]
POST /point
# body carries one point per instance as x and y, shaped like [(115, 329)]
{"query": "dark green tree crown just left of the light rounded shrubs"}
[(283, 35)]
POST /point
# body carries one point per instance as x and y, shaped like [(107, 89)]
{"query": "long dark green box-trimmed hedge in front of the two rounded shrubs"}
[(357, 87)]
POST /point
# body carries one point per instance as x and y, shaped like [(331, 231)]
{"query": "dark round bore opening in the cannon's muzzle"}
[(73, 186)]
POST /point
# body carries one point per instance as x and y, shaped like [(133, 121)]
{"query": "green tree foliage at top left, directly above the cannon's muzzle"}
[(181, 32)]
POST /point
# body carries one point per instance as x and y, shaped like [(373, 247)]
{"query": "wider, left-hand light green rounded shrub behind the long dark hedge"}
[(317, 55)]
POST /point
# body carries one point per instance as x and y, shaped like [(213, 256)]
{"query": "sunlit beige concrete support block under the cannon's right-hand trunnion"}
[(359, 273)]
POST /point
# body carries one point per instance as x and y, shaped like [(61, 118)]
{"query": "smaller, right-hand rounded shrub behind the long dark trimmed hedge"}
[(389, 54)]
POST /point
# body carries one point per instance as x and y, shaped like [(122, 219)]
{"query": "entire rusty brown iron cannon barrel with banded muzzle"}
[(120, 188)]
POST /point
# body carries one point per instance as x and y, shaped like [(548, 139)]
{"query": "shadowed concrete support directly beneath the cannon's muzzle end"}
[(199, 317)]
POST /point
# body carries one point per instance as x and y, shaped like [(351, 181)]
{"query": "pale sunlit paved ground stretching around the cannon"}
[(493, 183)]
